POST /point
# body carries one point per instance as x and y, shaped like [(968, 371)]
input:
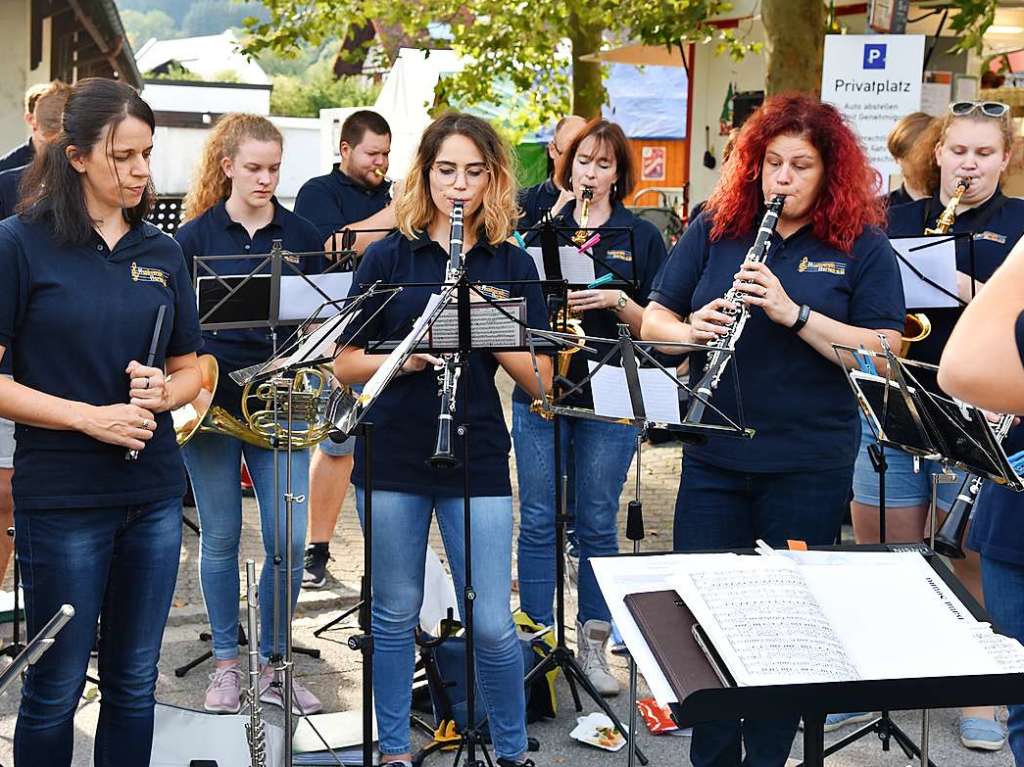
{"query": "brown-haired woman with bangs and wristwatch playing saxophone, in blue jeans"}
[(598, 162)]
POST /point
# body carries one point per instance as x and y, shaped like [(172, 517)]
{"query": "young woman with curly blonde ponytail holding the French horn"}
[(231, 210)]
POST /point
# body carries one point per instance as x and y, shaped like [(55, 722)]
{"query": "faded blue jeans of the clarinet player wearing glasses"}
[(401, 525)]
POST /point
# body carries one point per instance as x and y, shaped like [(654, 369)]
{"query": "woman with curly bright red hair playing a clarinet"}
[(831, 278)]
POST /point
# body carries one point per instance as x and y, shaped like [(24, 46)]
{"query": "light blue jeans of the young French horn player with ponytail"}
[(214, 462)]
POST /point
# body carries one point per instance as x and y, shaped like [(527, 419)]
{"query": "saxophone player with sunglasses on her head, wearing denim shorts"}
[(974, 146)]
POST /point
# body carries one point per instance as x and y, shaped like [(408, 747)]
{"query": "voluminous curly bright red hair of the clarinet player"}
[(848, 201)]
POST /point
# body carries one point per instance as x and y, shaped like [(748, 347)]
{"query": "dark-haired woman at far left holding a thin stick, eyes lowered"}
[(83, 280)]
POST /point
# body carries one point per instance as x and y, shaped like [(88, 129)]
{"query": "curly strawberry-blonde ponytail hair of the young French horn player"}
[(210, 185)]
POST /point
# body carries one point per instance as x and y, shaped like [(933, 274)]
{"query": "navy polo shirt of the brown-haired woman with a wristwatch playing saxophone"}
[(639, 259)]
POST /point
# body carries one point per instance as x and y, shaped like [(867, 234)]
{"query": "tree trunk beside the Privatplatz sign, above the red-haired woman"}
[(795, 47)]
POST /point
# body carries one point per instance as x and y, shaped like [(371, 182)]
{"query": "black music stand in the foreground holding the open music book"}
[(703, 697)]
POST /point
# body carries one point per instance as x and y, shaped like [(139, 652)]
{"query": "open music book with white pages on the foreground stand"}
[(826, 617)]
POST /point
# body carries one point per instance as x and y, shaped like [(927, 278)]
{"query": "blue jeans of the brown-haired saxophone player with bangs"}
[(602, 457)]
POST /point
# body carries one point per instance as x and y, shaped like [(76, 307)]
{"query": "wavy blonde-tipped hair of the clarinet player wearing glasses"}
[(415, 209)]
